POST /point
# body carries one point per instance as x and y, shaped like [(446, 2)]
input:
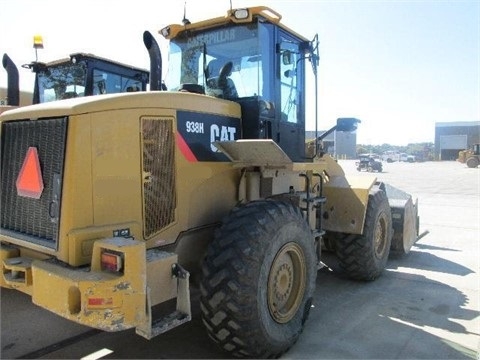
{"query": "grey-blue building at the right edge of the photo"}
[(451, 137)]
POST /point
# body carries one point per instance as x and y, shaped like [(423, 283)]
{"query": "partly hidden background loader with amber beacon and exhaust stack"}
[(81, 74)]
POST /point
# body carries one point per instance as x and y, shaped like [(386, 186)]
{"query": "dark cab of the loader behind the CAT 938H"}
[(84, 75)]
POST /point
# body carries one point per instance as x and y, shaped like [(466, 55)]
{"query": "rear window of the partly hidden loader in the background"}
[(62, 82)]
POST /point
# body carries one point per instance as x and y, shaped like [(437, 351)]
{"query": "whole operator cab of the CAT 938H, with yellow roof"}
[(254, 61)]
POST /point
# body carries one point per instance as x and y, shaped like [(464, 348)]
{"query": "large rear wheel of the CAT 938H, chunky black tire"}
[(258, 280)]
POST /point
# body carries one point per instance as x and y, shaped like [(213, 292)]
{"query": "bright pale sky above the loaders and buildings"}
[(398, 66)]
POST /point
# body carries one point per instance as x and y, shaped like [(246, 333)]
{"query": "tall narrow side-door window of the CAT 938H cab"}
[(289, 56)]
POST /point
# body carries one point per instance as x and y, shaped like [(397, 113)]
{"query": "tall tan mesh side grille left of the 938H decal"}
[(159, 186)]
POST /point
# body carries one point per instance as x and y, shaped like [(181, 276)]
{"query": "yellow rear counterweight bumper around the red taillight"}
[(82, 296)]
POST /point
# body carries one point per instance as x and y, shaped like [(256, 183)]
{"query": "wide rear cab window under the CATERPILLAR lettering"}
[(226, 62)]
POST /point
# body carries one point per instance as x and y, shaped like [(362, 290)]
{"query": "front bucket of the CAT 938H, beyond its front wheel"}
[(405, 220)]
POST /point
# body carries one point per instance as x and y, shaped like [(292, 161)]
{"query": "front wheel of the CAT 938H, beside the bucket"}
[(364, 257)]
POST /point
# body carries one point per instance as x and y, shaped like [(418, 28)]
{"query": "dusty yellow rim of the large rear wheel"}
[(286, 283)]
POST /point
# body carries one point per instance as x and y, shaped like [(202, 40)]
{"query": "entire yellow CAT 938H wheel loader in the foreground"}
[(114, 205)]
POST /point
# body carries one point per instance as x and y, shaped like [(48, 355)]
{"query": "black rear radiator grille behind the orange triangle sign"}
[(28, 219)]
